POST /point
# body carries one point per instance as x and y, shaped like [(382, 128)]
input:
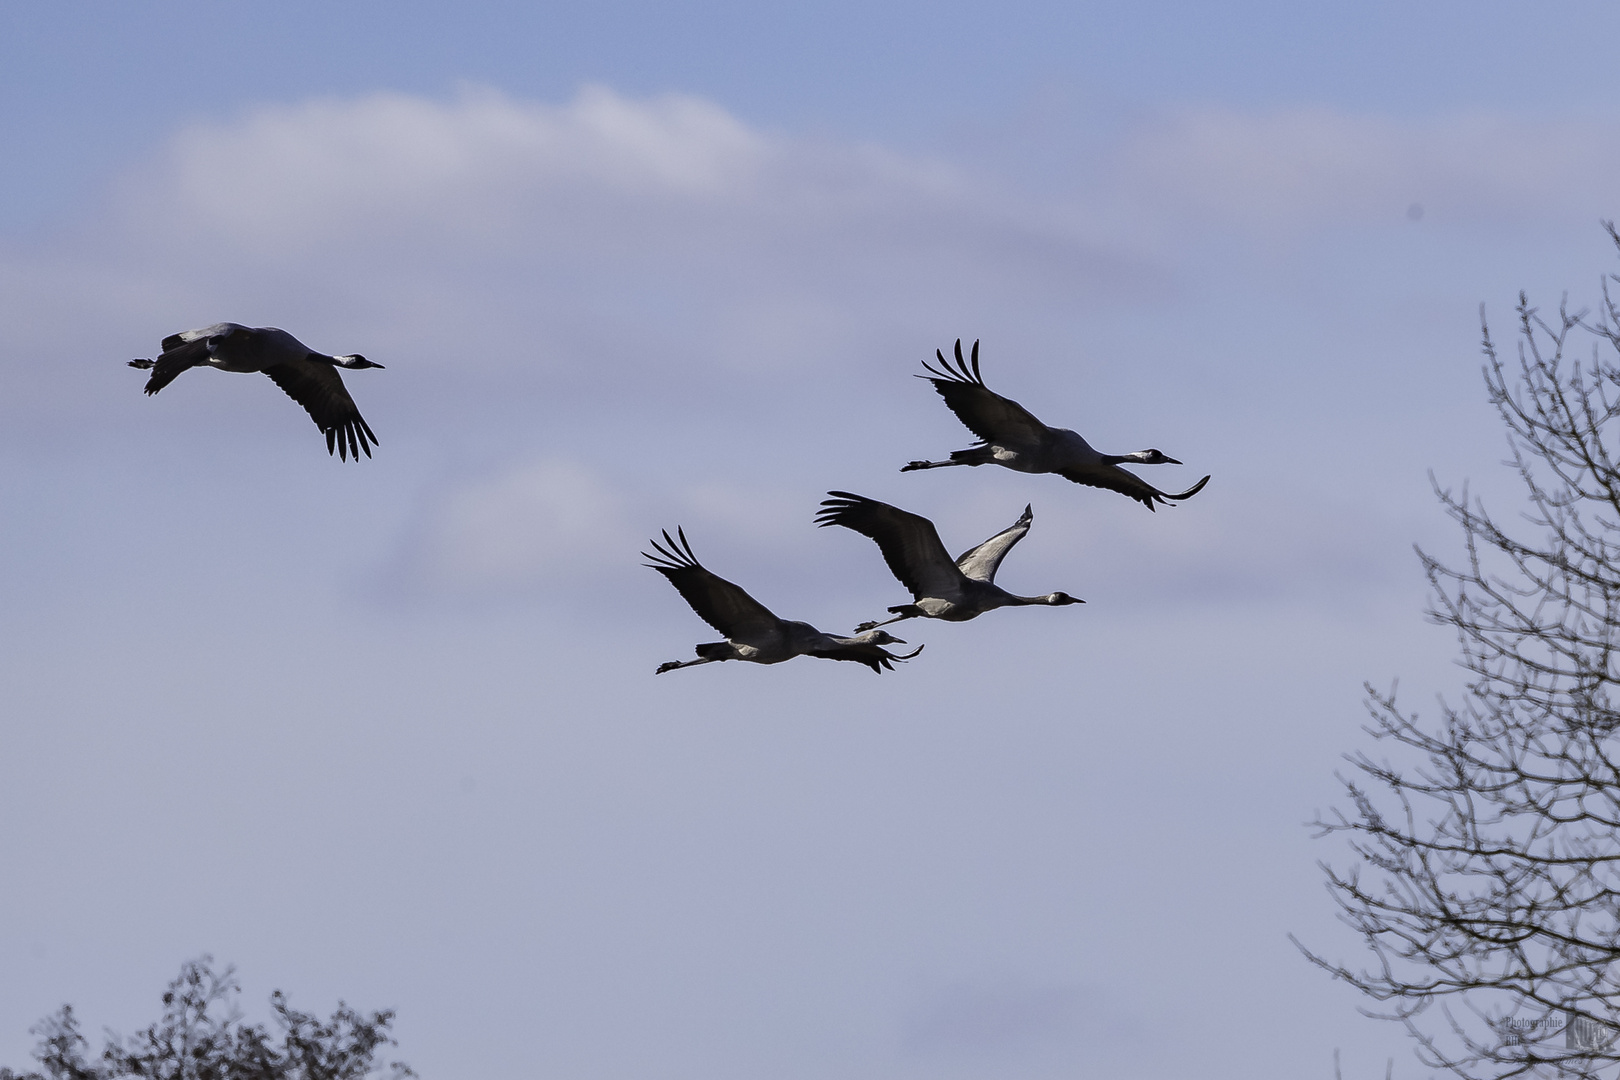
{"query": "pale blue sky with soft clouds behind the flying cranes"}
[(390, 731)]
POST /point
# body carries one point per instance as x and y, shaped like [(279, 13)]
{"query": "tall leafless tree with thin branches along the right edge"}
[(1486, 848)]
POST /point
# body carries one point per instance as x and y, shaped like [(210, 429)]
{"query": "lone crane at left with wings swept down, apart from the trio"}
[(307, 376)]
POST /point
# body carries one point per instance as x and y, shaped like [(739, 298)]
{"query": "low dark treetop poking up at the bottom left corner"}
[(202, 1037)]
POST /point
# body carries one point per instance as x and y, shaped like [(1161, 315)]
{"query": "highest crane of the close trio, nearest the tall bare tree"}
[(1012, 436)]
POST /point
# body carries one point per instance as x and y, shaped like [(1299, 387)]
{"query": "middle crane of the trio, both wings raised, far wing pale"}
[(955, 590)]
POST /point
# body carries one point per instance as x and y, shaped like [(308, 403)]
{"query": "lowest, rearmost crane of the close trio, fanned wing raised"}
[(752, 632)]
